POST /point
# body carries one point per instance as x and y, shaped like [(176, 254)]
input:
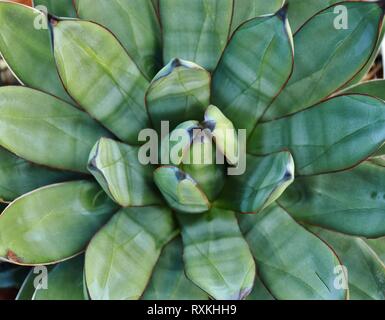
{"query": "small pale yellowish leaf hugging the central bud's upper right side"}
[(223, 132)]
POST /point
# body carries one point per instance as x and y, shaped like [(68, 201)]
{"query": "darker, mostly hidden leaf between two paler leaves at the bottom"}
[(169, 281)]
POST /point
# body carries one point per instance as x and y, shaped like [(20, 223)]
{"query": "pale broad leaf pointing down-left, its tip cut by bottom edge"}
[(121, 257)]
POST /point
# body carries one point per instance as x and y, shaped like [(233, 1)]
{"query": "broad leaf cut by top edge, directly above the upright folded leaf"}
[(195, 30)]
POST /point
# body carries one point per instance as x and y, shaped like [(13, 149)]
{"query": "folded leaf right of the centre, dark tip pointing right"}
[(265, 179)]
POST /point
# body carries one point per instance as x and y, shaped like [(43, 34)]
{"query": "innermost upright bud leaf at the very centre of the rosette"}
[(200, 163)]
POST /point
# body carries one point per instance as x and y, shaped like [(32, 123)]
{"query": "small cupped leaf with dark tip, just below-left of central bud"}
[(180, 190)]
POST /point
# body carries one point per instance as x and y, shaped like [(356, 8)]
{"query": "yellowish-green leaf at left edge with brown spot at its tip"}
[(52, 223)]
